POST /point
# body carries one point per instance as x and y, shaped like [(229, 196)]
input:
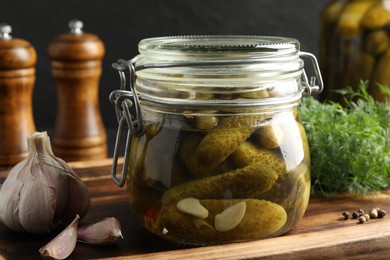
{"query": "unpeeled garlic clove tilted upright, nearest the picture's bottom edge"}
[(63, 244)]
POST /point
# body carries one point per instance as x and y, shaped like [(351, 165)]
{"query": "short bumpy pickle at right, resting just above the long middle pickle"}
[(248, 153)]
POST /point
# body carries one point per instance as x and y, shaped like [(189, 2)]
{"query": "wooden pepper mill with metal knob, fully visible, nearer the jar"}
[(76, 61)]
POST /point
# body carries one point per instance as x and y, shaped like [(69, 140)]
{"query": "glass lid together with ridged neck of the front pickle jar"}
[(186, 69)]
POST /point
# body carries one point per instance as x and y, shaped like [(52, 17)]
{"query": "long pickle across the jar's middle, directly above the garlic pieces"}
[(239, 183)]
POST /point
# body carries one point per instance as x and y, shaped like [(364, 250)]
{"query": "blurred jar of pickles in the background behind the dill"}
[(354, 46)]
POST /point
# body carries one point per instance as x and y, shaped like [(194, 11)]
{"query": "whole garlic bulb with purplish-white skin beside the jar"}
[(42, 191)]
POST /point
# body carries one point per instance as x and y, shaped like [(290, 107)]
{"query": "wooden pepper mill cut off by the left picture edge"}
[(17, 78)]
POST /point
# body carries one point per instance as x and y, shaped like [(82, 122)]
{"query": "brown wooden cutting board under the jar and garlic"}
[(319, 235)]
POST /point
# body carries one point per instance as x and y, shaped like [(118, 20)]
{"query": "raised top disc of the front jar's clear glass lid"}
[(218, 47)]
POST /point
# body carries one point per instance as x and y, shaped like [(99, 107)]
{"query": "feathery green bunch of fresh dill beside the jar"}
[(349, 145)]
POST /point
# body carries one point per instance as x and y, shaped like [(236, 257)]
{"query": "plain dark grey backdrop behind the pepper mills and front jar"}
[(121, 24)]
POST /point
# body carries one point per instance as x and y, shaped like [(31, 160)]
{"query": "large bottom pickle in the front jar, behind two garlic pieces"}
[(262, 218)]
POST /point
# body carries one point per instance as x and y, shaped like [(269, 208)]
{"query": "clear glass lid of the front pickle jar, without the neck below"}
[(232, 57)]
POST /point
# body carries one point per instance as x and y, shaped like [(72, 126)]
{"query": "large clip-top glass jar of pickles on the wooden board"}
[(215, 149)]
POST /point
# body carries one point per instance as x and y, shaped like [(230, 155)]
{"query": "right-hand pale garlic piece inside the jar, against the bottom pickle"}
[(230, 217)]
